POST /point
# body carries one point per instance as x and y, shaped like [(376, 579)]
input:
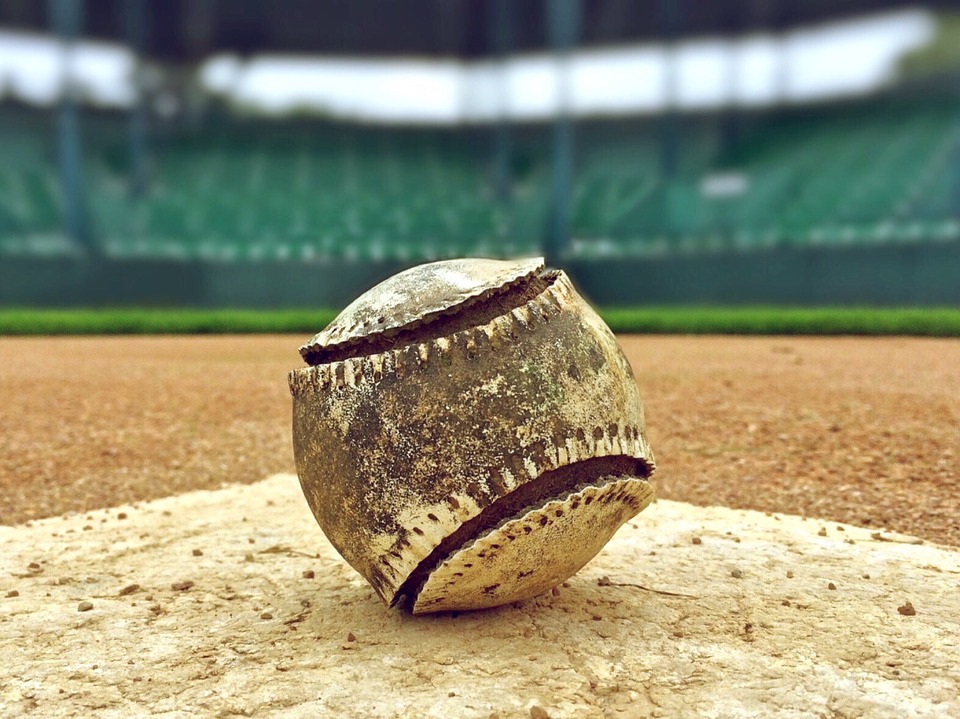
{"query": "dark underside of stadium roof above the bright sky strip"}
[(193, 29)]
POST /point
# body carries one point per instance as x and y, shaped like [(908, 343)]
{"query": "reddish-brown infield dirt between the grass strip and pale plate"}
[(865, 431)]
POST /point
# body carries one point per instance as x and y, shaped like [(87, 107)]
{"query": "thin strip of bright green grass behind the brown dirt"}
[(939, 322)]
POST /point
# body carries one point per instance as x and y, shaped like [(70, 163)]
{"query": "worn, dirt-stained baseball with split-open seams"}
[(468, 433)]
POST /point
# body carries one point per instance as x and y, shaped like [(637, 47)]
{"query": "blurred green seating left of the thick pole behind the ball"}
[(301, 192)]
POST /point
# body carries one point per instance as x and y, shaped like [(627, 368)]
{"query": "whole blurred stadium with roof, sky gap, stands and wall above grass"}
[(242, 153)]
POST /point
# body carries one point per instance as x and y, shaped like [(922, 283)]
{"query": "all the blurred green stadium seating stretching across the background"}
[(879, 173)]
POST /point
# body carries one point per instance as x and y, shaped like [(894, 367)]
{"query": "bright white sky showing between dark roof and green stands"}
[(840, 59)]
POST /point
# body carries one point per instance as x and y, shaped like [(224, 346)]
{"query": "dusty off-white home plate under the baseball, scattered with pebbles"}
[(232, 603)]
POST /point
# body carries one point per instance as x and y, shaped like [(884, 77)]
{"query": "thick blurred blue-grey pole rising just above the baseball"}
[(563, 18)]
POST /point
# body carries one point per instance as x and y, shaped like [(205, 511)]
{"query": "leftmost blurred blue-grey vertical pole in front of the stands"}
[(67, 19)]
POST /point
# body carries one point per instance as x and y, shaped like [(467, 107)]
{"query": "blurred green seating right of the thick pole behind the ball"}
[(878, 174)]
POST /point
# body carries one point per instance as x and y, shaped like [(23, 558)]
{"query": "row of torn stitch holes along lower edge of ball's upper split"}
[(416, 356)]
